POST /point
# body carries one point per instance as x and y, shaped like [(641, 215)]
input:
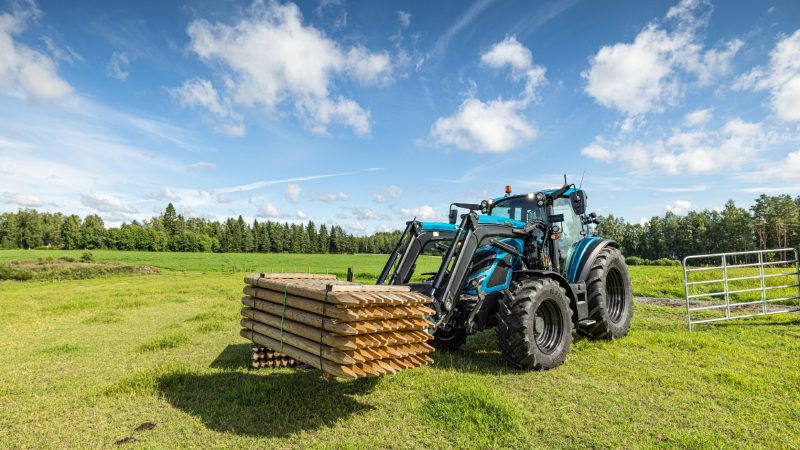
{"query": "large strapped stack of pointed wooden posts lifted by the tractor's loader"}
[(347, 330)]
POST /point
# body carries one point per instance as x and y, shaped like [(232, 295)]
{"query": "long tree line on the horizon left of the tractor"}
[(171, 231)]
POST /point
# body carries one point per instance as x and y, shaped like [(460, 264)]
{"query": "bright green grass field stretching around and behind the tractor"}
[(156, 361)]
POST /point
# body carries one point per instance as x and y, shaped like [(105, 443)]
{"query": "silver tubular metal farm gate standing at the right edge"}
[(752, 273)]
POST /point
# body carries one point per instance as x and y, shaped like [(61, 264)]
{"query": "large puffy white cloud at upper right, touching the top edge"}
[(649, 73)]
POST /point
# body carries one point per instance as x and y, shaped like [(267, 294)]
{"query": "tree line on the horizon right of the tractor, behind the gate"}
[(772, 222)]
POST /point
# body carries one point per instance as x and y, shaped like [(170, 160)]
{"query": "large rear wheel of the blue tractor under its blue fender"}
[(609, 296)]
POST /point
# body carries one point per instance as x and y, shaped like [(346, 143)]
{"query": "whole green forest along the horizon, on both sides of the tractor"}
[(772, 222)]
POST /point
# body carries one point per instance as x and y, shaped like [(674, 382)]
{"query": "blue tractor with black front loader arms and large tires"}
[(527, 265)]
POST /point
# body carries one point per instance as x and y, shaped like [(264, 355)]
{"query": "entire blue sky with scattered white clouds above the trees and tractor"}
[(366, 114)]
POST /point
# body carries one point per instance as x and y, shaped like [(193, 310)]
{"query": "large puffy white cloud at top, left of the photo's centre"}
[(269, 58)]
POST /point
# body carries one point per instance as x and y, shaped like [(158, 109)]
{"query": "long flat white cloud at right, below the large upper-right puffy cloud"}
[(731, 147)]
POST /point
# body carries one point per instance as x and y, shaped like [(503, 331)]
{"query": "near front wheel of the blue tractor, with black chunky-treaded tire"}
[(534, 324)]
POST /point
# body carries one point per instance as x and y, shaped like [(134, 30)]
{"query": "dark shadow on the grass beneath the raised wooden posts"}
[(277, 404)]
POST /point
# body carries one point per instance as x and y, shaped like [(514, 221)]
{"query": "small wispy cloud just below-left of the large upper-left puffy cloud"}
[(199, 93)]
